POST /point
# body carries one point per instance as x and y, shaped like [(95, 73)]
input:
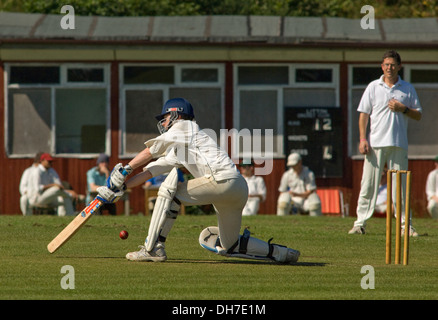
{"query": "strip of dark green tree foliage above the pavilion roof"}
[(306, 8)]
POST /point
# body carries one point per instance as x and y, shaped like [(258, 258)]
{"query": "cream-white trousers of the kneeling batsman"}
[(228, 197)]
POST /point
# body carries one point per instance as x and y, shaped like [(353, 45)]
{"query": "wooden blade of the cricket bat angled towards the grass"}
[(74, 225)]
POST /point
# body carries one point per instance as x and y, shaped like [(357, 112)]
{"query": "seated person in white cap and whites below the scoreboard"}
[(298, 189)]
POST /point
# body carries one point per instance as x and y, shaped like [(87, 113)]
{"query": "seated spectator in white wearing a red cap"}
[(46, 188)]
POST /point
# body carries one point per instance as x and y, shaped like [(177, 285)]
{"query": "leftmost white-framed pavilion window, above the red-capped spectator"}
[(62, 109)]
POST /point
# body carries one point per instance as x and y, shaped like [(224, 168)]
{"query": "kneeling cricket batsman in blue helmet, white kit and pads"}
[(217, 181)]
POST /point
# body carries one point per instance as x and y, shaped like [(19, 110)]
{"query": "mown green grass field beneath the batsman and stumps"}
[(329, 266)]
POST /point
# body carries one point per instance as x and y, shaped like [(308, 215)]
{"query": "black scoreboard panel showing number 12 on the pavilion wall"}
[(316, 134)]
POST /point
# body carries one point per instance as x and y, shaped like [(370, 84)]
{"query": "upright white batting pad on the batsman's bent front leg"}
[(166, 192)]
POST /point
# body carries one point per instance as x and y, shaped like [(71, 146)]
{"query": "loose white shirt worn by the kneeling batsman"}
[(186, 145)]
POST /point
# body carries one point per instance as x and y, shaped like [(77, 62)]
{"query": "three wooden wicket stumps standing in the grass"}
[(389, 211)]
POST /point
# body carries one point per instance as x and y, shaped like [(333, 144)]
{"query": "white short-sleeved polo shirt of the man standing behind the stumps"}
[(388, 128)]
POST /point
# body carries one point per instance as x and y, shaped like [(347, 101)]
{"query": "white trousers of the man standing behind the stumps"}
[(396, 159)]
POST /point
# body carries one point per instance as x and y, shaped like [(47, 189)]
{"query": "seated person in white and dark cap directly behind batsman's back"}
[(256, 189)]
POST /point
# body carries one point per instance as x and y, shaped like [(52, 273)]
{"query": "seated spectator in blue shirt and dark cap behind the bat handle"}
[(96, 177)]
